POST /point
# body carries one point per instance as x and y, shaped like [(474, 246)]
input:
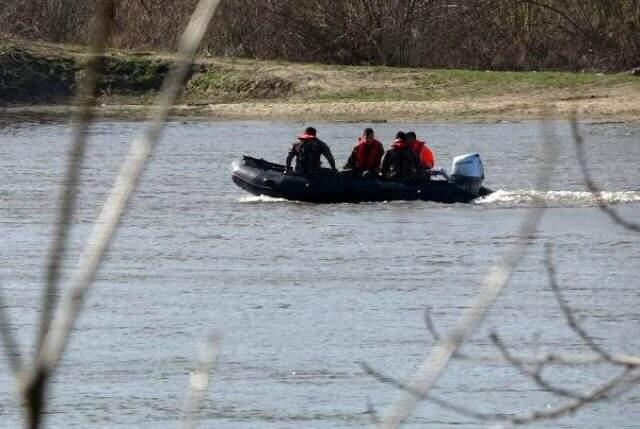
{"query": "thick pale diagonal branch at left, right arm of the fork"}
[(69, 308)]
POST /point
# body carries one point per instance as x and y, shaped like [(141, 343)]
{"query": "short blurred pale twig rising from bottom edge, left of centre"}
[(199, 382)]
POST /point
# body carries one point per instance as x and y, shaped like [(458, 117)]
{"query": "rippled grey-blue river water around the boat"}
[(300, 294)]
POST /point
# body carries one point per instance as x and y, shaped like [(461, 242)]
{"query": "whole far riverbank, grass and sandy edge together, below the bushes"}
[(42, 77)]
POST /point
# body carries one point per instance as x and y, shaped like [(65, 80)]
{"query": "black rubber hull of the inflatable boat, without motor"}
[(260, 177)]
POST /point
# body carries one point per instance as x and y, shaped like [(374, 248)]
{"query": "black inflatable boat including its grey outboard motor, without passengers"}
[(260, 177)]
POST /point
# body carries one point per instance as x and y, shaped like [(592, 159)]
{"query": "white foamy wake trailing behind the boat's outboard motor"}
[(558, 198)]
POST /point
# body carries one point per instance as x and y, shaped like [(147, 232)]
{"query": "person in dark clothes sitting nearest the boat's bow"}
[(307, 150)]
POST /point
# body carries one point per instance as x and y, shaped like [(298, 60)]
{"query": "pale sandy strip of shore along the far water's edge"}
[(374, 112)]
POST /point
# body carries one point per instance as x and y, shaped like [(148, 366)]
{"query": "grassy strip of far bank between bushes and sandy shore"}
[(140, 74)]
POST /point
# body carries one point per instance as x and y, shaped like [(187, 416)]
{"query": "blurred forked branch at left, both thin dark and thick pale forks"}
[(56, 329)]
